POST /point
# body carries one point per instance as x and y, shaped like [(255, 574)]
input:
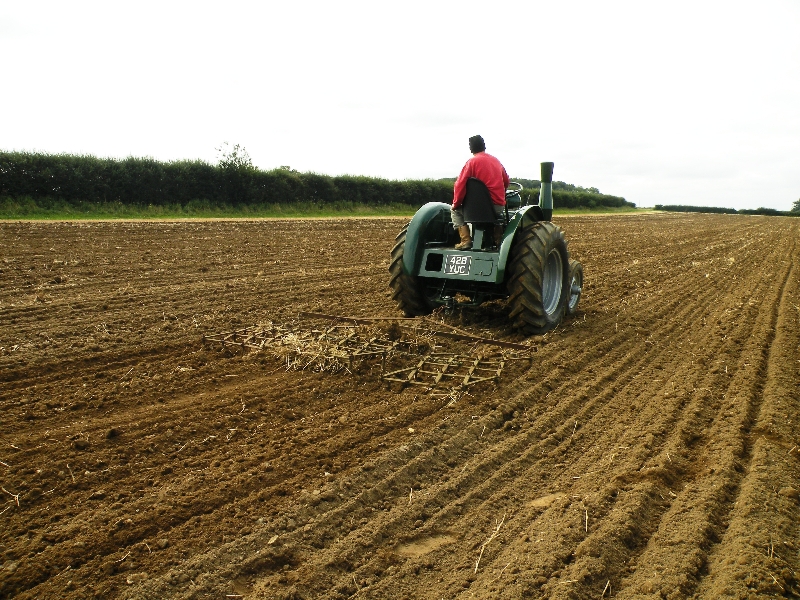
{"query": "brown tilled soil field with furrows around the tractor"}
[(649, 449)]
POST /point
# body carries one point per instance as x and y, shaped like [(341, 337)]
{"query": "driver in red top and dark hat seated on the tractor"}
[(491, 172)]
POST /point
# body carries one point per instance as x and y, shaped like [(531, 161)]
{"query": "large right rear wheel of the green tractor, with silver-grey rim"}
[(538, 279)]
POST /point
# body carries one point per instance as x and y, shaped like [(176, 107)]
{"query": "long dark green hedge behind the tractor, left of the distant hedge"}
[(235, 182)]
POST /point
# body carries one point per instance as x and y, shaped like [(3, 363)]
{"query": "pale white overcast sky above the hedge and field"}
[(660, 102)]
